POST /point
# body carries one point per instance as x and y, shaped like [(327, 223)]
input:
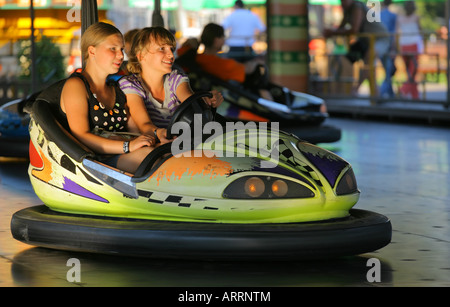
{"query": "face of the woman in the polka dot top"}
[(109, 53)]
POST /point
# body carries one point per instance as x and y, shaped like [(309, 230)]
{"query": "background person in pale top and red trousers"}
[(411, 45)]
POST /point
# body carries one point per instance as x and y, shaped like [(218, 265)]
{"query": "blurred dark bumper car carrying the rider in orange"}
[(242, 102)]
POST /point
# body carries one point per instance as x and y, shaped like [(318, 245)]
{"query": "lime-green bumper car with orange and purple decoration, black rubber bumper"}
[(217, 197)]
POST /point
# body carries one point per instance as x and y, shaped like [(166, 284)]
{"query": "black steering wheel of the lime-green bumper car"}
[(186, 111)]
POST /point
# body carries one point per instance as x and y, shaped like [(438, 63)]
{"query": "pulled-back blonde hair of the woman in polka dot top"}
[(94, 35)]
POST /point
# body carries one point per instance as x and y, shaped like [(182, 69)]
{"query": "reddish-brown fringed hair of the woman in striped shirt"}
[(142, 39)]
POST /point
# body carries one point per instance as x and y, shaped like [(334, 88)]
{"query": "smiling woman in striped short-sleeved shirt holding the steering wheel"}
[(154, 88)]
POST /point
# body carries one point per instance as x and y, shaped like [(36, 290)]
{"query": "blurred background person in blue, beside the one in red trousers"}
[(389, 19)]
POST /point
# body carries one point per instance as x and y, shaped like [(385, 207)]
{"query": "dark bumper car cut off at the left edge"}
[(14, 136)]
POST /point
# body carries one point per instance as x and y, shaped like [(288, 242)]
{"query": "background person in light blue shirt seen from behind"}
[(242, 25)]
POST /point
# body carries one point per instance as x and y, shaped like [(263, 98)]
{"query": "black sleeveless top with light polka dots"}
[(101, 118)]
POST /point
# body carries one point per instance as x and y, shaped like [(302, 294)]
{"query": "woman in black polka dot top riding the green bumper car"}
[(93, 106)]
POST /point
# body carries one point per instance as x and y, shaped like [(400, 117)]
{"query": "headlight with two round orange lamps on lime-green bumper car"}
[(265, 187)]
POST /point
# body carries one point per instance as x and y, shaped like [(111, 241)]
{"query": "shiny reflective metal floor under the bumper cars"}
[(403, 172)]
